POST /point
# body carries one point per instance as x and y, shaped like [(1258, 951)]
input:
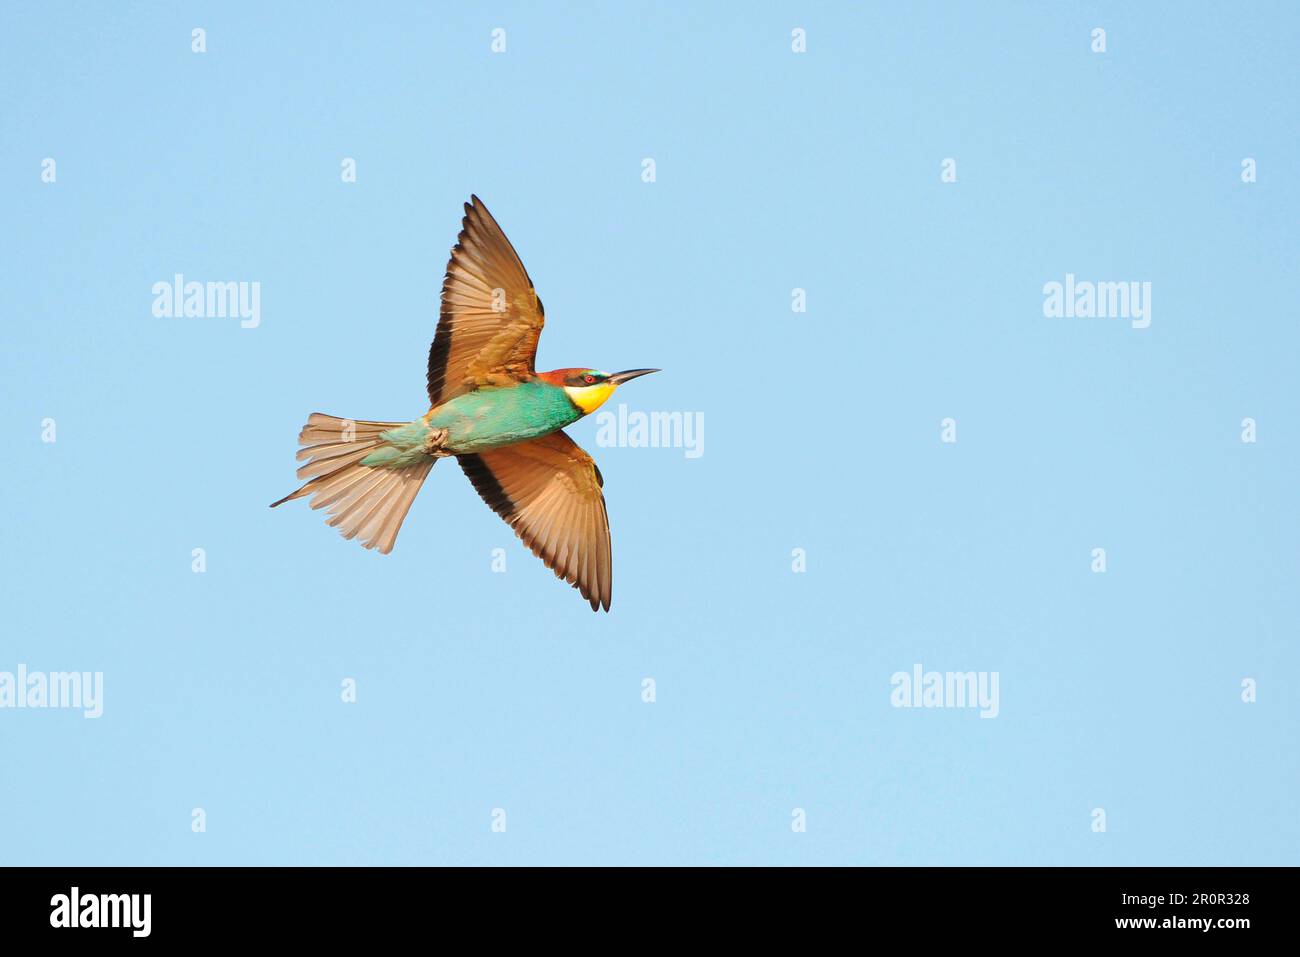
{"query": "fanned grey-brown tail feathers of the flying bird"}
[(363, 503)]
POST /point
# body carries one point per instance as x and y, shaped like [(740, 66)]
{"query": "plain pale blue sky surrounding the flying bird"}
[(775, 171)]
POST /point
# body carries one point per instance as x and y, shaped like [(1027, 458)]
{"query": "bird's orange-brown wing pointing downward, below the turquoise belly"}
[(549, 492)]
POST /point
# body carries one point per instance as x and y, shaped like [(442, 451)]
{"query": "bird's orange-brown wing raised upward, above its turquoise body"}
[(491, 313)]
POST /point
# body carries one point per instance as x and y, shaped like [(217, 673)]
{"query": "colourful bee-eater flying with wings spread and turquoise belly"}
[(491, 410)]
